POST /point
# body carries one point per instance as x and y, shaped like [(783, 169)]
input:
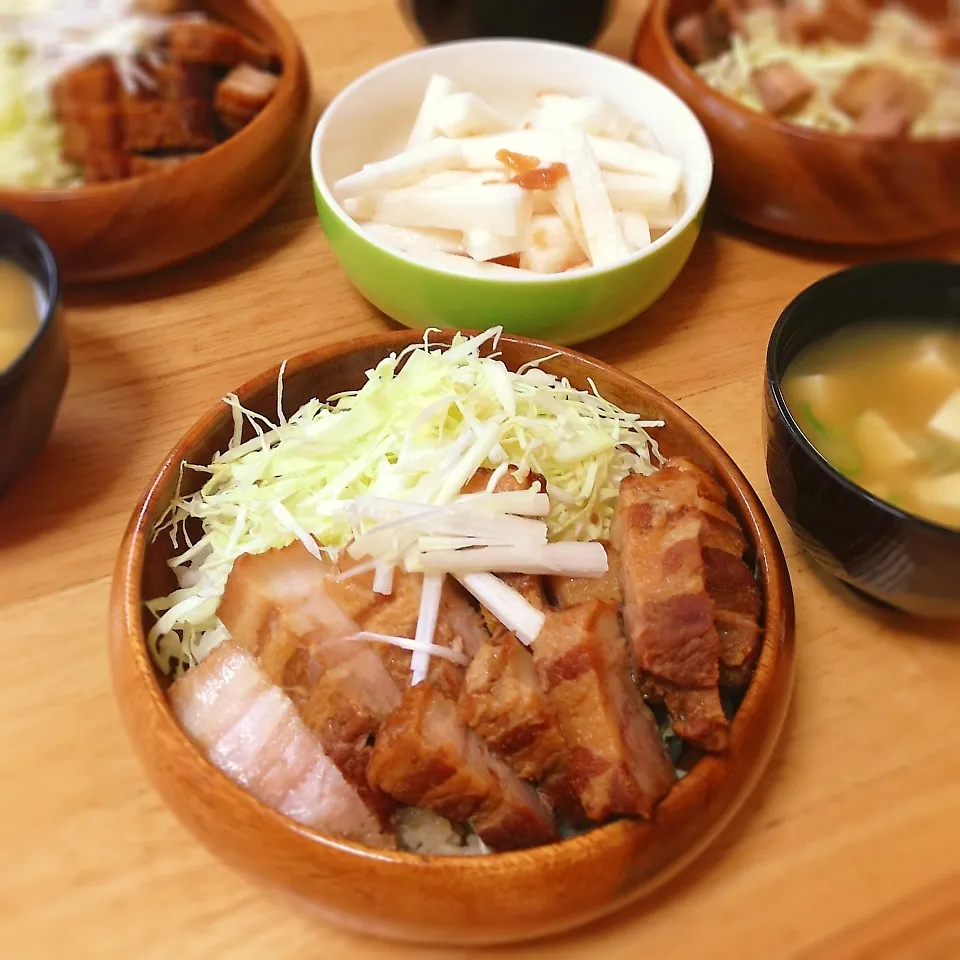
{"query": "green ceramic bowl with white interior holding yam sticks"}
[(370, 119)]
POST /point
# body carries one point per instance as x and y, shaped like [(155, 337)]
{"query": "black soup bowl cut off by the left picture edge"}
[(32, 387)]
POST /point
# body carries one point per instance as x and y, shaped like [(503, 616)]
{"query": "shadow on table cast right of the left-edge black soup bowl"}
[(79, 464)]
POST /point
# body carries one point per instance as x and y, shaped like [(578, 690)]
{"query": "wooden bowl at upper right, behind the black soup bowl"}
[(806, 184)]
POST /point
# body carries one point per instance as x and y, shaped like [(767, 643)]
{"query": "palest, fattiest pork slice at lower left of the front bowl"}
[(250, 730)]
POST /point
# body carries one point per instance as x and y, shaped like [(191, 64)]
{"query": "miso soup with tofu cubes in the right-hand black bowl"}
[(881, 401)]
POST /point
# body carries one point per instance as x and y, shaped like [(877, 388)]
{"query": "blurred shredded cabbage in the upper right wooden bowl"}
[(899, 40)]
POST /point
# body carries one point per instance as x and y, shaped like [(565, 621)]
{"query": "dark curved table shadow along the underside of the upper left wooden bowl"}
[(290, 216)]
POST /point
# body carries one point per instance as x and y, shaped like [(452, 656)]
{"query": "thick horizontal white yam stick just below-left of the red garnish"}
[(503, 209)]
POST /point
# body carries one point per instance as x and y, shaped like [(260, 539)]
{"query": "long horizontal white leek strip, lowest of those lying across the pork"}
[(562, 559)]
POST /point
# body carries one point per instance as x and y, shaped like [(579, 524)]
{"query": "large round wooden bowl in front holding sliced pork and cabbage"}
[(451, 900)]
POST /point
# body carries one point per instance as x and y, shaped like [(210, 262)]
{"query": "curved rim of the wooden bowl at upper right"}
[(657, 20)]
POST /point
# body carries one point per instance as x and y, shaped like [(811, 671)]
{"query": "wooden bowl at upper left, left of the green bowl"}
[(109, 231)]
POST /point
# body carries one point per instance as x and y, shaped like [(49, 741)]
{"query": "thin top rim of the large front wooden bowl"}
[(778, 633)]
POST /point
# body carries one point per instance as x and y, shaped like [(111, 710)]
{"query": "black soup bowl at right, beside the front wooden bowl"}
[(888, 555)]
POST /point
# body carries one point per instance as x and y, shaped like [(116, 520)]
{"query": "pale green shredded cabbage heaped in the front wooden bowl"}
[(418, 429)]
